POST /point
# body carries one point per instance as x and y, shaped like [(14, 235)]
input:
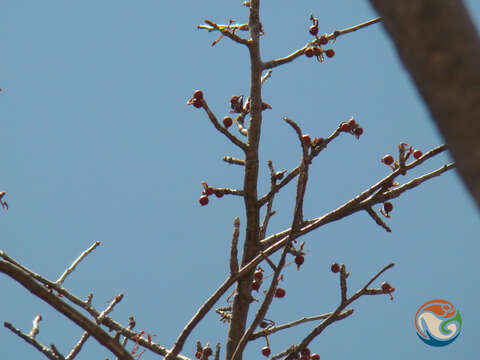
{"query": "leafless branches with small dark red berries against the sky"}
[(245, 274)]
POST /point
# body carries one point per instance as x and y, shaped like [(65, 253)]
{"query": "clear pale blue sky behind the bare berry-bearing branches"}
[(98, 145)]
